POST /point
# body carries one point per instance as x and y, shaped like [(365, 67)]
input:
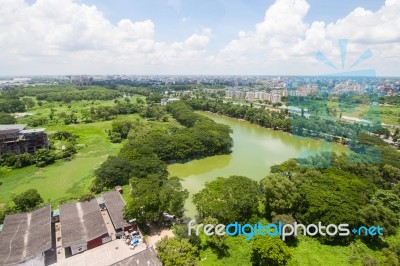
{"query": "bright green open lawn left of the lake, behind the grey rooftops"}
[(64, 179)]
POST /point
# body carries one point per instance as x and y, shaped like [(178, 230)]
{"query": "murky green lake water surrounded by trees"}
[(254, 151)]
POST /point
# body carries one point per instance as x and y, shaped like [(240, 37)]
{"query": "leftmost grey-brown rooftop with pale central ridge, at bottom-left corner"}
[(25, 236)]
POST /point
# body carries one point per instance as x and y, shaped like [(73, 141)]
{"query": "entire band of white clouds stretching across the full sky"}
[(65, 36)]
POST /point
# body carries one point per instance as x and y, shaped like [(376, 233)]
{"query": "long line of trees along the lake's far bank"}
[(292, 122)]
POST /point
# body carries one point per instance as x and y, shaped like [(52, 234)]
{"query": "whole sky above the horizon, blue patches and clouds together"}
[(191, 37)]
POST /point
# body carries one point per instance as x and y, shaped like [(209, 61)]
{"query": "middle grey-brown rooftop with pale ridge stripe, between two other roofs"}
[(81, 222)]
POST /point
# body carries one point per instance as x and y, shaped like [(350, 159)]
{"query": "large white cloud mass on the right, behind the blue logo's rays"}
[(284, 41)]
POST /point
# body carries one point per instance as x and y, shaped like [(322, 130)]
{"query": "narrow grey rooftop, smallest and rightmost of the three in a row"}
[(115, 206)]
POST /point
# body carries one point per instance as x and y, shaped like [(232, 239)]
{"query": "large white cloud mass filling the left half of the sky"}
[(73, 36)]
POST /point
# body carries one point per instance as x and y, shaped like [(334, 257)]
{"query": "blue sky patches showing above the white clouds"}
[(177, 19)]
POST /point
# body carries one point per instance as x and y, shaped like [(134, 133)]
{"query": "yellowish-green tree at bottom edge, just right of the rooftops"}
[(174, 252)]
